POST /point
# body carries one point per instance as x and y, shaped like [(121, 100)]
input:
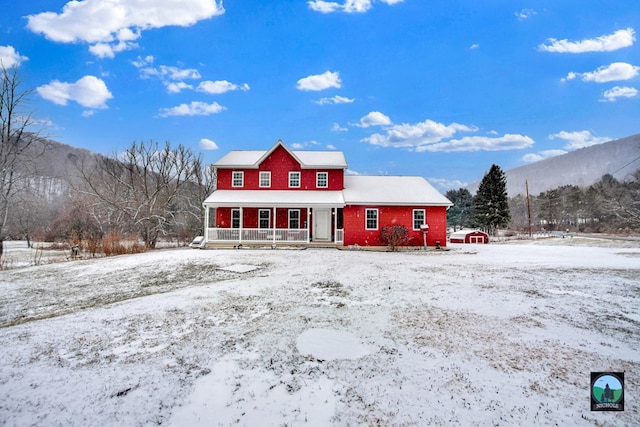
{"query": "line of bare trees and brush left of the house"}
[(149, 191)]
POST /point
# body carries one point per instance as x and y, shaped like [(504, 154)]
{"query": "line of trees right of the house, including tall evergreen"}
[(609, 205)]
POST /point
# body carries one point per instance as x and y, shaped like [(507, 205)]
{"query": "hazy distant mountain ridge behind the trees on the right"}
[(582, 167)]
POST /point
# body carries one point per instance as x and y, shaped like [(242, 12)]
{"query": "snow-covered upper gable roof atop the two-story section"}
[(251, 159)]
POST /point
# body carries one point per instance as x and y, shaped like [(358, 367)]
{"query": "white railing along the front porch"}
[(257, 235)]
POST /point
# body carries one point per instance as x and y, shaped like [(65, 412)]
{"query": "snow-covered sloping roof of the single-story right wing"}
[(391, 190)]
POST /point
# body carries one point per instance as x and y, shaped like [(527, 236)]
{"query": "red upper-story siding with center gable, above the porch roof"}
[(280, 163)]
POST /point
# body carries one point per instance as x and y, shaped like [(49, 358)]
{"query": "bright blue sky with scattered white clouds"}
[(441, 89)]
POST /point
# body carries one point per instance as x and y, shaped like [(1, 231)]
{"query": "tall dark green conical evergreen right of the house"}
[(491, 204)]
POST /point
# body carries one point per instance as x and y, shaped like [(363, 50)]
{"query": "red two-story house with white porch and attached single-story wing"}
[(284, 197)]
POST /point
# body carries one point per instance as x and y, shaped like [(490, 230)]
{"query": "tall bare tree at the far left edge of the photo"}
[(18, 142)]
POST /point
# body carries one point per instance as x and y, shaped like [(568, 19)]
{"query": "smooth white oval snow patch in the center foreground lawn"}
[(329, 344)]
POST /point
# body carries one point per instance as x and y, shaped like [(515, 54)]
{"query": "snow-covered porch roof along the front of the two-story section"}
[(278, 198)]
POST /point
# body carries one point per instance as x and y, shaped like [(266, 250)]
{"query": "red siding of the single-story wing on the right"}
[(355, 228)]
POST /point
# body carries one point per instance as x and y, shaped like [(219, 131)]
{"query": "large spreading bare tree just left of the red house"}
[(146, 188)]
